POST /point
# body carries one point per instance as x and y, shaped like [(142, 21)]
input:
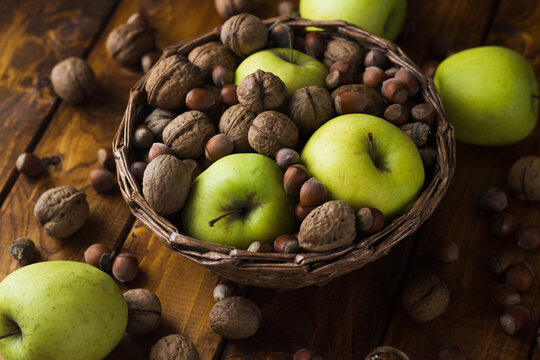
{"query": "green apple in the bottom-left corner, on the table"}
[(60, 310)]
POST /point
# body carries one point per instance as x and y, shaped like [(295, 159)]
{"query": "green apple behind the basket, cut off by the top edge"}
[(379, 17)]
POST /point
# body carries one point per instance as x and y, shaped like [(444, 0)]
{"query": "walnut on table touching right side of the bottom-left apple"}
[(144, 311)]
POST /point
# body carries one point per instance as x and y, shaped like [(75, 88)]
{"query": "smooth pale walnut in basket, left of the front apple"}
[(166, 183)]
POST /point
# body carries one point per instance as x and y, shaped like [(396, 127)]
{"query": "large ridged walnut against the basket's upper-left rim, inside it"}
[(170, 80)]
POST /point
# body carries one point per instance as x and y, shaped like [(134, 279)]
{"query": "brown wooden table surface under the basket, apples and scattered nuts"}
[(342, 320)]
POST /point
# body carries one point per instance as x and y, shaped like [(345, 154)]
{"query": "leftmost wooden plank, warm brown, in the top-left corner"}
[(35, 35)]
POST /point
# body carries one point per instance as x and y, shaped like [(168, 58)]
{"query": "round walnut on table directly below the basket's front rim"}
[(235, 317)]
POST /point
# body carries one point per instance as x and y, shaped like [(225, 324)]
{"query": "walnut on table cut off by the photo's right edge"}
[(524, 178)]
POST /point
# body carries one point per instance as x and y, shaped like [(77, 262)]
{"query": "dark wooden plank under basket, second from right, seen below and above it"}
[(347, 318)]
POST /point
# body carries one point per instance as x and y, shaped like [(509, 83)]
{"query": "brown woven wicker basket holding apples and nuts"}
[(290, 271)]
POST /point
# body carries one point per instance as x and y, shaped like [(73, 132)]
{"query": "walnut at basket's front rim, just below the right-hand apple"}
[(328, 227)]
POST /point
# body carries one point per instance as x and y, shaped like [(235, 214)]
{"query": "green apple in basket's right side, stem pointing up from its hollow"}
[(366, 161)]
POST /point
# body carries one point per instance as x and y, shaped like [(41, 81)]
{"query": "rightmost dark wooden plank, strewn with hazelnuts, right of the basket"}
[(471, 321)]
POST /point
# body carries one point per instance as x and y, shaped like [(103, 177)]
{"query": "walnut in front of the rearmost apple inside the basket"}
[(261, 91)]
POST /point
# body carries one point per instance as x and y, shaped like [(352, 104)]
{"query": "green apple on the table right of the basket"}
[(490, 95)]
